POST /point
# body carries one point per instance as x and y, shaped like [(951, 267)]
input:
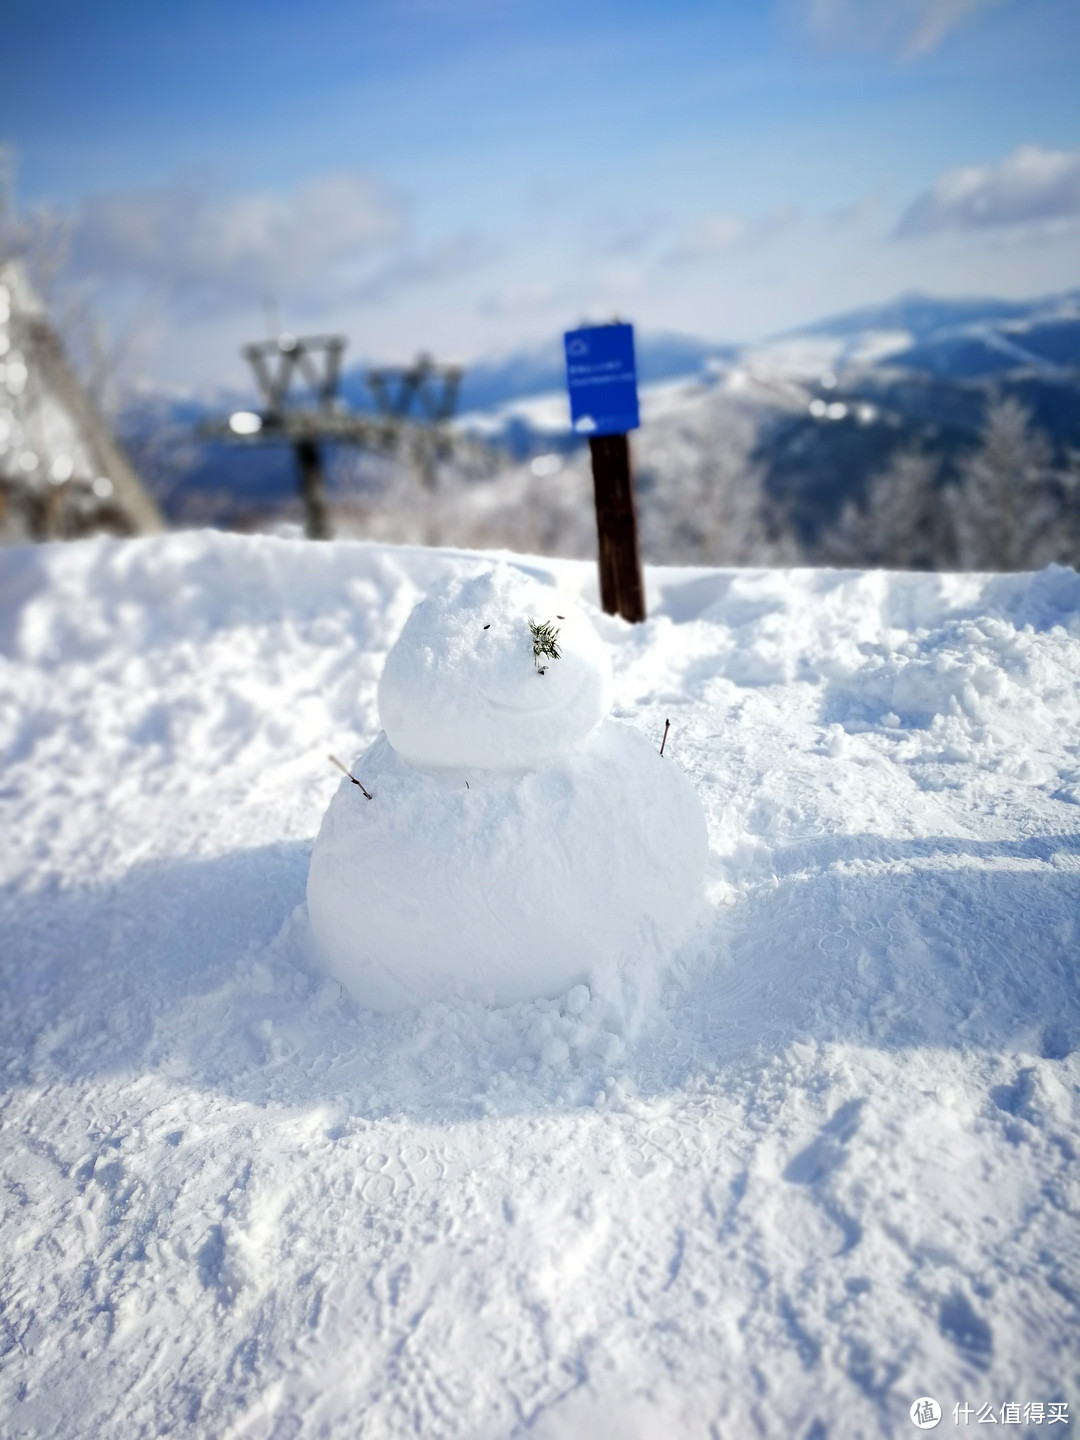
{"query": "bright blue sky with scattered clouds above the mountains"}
[(476, 176)]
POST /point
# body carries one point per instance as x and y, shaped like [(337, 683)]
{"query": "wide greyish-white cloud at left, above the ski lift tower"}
[(240, 247)]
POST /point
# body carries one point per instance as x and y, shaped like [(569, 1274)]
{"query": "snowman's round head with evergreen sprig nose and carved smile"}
[(467, 688)]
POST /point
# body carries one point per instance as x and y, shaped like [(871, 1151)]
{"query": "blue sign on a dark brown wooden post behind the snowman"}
[(603, 382)]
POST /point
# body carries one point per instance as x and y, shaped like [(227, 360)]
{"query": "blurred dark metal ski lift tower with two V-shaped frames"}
[(290, 365)]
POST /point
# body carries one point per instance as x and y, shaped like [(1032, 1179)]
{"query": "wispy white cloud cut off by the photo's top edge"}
[(911, 28)]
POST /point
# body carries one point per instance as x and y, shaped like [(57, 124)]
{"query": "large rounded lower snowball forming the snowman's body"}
[(515, 888)]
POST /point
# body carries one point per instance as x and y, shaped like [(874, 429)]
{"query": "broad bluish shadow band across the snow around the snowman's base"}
[(199, 970)]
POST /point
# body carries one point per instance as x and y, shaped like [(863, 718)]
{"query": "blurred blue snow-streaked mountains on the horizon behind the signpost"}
[(830, 404)]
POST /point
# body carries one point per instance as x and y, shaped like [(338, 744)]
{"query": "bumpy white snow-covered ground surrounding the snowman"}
[(829, 1166)]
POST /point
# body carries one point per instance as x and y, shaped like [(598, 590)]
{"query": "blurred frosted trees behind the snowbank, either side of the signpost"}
[(1007, 503)]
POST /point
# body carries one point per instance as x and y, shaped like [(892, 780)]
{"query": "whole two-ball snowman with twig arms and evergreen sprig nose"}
[(503, 837)]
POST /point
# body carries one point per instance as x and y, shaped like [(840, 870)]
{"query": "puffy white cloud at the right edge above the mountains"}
[(1032, 185)]
